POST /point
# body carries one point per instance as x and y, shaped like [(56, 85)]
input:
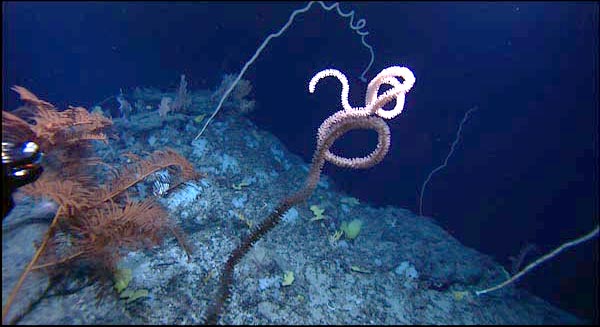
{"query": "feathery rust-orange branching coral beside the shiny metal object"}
[(99, 219)]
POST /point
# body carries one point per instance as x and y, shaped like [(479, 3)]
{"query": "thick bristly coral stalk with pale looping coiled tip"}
[(331, 129)]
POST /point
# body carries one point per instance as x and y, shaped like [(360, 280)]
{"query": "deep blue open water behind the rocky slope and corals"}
[(525, 170)]
